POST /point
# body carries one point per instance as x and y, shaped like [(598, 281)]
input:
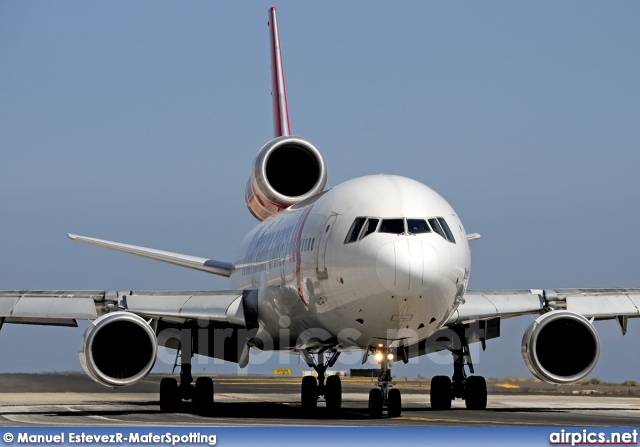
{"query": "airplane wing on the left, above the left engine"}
[(63, 308)]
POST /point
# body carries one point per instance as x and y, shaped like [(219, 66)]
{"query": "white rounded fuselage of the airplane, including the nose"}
[(318, 289)]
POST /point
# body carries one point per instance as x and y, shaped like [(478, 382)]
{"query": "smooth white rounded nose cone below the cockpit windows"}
[(407, 267)]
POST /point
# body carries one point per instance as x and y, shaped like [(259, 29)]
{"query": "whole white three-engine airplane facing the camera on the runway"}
[(379, 264)]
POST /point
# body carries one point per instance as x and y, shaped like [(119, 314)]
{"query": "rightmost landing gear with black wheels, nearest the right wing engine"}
[(473, 389)]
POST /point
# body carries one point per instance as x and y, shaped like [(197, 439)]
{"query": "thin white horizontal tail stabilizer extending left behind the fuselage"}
[(206, 265)]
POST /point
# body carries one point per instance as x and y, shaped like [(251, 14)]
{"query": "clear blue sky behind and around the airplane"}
[(139, 121)]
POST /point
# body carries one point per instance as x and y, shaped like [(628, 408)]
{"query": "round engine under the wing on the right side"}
[(561, 347)]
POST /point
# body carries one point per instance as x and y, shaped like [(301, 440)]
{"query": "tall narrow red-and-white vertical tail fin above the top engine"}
[(278, 89)]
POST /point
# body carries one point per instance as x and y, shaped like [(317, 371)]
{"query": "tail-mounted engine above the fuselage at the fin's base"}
[(286, 171)]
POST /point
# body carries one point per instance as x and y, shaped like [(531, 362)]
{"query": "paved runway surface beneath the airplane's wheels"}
[(43, 400)]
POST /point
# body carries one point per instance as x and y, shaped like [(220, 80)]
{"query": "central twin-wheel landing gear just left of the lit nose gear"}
[(312, 388)]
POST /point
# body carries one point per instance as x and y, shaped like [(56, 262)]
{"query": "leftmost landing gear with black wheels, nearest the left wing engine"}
[(200, 394)]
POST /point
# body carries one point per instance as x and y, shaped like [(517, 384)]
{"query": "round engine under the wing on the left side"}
[(118, 349)]
